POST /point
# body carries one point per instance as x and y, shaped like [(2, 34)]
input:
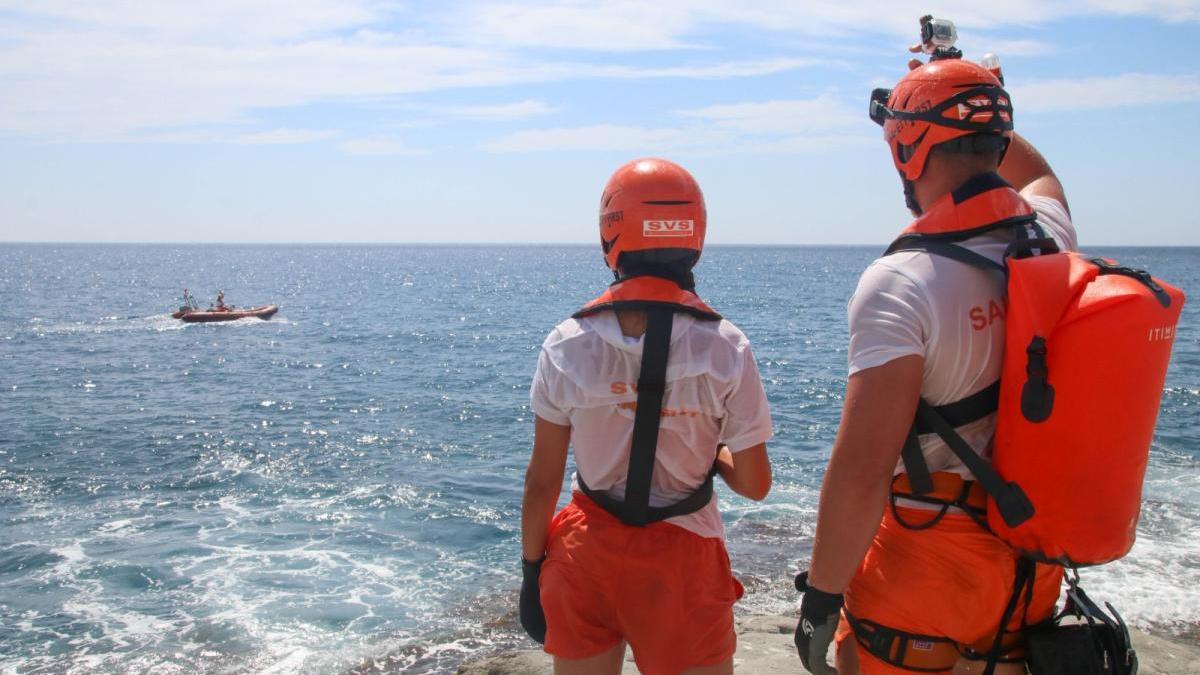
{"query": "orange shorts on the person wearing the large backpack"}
[(952, 581)]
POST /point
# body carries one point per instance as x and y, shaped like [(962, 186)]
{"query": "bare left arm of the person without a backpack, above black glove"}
[(544, 482)]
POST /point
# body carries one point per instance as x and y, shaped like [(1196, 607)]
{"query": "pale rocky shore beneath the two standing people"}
[(765, 646)]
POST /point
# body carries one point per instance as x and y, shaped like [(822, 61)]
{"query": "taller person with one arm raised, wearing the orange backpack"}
[(907, 586)]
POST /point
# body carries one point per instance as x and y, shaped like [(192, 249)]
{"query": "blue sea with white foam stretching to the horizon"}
[(338, 489)]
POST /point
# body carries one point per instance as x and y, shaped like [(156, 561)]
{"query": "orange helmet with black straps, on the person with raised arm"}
[(937, 103)]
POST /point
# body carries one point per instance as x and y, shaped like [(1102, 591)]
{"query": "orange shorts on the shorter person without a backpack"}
[(667, 592)]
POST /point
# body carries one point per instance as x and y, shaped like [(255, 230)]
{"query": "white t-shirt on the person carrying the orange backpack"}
[(949, 313)]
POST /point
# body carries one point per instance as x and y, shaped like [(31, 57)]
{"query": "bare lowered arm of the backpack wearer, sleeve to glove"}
[(880, 408)]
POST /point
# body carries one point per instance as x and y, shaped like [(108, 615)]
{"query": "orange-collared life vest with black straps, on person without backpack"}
[(662, 300)]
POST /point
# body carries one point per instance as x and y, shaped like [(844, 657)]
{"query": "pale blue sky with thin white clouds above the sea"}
[(460, 122)]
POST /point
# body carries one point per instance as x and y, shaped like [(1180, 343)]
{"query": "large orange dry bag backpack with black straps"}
[(1085, 359)]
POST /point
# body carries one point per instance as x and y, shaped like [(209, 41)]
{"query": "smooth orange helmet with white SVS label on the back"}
[(651, 205)]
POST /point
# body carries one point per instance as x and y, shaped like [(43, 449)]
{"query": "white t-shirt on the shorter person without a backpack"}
[(586, 377)]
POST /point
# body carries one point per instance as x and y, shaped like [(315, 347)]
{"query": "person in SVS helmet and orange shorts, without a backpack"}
[(656, 393)]
